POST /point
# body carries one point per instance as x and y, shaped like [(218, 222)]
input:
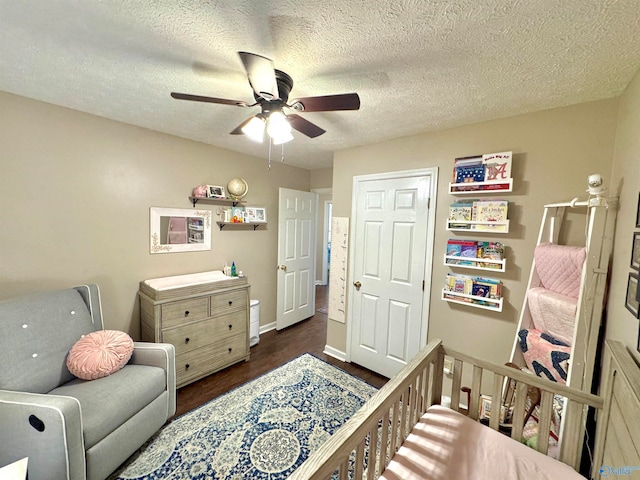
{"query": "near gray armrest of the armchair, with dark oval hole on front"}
[(43, 427)]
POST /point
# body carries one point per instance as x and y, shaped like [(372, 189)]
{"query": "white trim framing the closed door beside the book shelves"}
[(428, 264)]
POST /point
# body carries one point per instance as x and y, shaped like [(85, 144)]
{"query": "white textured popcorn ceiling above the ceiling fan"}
[(418, 65)]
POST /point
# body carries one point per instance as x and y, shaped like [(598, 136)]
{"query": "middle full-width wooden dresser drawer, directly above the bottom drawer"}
[(190, 337)]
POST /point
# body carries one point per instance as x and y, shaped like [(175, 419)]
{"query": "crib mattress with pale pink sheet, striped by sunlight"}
[(447, 445)]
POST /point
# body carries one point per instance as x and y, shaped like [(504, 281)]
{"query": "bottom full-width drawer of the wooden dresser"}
[(206, 360)]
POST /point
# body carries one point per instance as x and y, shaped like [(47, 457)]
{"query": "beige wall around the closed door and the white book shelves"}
[(554, 152)]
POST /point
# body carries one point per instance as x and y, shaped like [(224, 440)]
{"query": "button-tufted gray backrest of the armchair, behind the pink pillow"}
[(37, 332)]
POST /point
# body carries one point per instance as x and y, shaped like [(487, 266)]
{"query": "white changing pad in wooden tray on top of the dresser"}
[(193, 283)]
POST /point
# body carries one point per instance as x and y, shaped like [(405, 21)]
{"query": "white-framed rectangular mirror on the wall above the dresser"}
[(179, 230)]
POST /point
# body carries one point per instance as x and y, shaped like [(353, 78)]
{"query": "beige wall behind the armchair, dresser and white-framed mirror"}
[(76, 191)]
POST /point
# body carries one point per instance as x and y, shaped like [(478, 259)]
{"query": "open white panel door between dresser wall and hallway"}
[(296, 256)]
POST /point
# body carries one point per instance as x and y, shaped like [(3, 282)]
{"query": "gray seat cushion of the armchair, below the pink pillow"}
[(108, 402)]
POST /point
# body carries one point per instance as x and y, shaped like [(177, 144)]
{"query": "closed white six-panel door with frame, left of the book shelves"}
[(392, 245)]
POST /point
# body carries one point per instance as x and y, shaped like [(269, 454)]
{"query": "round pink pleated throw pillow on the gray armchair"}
[(99, 354)]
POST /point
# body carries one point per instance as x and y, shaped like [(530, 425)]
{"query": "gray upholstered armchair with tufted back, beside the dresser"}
[(71, 428)]
